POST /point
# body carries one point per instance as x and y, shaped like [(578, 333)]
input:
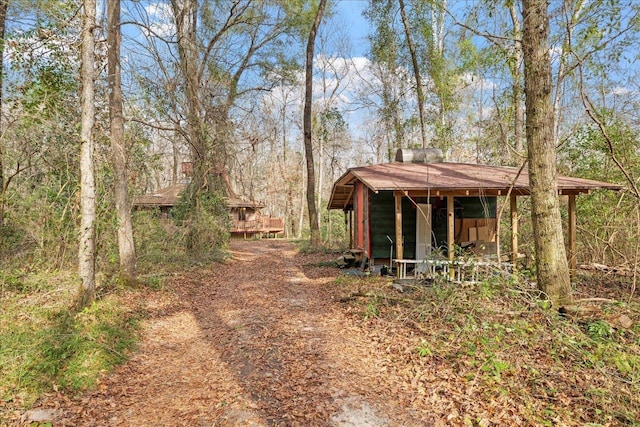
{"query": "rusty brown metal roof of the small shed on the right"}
[(443, 179)]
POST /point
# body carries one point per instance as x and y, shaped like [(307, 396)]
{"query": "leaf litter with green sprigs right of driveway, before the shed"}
[(502, 356)]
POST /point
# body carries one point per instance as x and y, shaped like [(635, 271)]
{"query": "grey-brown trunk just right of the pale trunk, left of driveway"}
[(126, 246)]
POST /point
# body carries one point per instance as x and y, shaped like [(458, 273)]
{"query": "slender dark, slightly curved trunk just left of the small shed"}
[(308, 146)]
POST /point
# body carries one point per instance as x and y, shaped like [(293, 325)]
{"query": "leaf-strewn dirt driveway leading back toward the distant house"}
[(260, 341)]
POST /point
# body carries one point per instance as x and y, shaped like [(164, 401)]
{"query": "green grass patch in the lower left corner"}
[(44, 345)]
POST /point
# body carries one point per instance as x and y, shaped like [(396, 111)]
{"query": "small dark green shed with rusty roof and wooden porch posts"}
[(405, 210)]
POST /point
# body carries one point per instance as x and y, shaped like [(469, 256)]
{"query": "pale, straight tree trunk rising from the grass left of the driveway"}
[(87, 249)]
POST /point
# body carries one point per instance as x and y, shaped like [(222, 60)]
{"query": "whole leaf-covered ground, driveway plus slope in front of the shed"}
[(275, 337)]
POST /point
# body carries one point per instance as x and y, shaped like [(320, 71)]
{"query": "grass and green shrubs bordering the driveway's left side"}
[(45, 345)]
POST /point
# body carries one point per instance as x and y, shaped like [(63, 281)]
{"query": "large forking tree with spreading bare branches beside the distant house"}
[(218, 43)]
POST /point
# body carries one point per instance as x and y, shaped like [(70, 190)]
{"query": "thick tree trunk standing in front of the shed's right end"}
[(551, 260)]
